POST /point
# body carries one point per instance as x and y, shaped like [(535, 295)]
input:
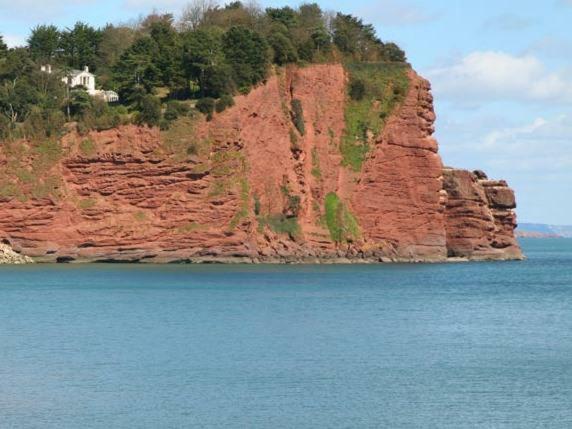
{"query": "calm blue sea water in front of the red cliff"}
[(399, 346)]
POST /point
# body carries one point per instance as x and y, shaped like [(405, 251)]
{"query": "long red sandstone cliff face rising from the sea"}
[(248, 187)]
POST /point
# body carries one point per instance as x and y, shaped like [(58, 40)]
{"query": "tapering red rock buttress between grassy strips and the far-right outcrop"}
[(399, 199)]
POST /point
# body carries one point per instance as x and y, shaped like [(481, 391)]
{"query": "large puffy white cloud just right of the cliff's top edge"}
[(497, 76)]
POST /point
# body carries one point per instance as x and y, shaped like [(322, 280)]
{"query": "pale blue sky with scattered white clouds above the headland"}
[(501, 72)]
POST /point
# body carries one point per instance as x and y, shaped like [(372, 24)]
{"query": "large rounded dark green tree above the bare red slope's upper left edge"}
[(247, 53)]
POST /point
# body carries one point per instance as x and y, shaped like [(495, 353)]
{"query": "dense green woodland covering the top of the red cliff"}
[(159, 63)]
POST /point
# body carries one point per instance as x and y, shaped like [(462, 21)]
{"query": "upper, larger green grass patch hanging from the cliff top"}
[(375, 90)]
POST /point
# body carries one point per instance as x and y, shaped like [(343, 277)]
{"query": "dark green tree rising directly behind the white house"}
[(80, 46)]
